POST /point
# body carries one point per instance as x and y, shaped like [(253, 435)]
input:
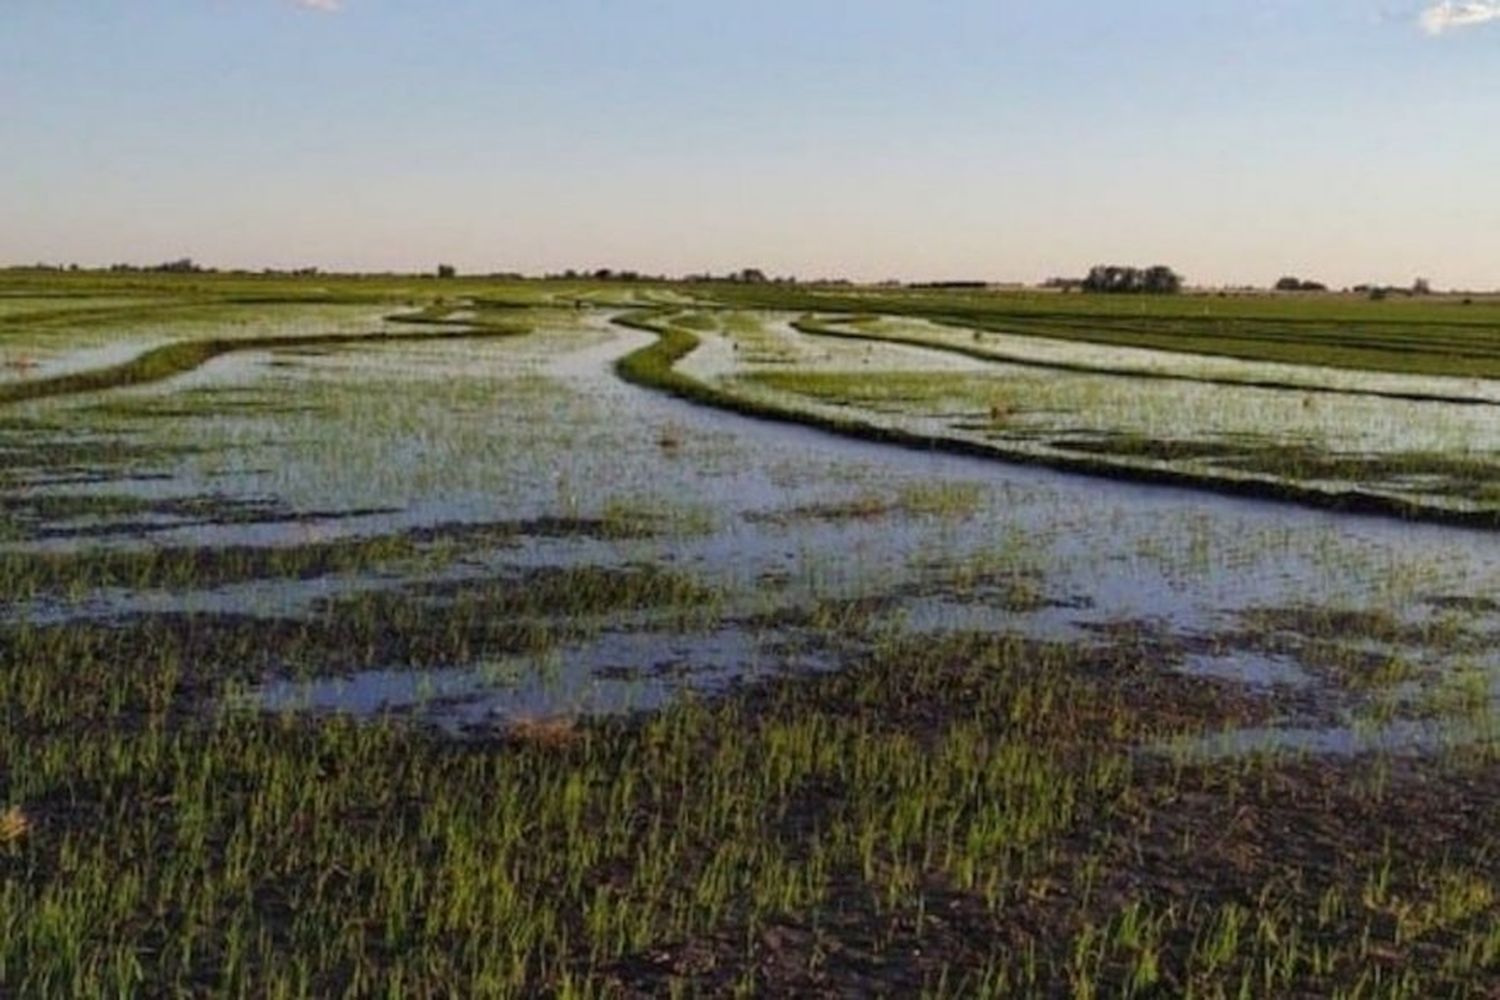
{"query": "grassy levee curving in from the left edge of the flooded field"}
[(185, 356)]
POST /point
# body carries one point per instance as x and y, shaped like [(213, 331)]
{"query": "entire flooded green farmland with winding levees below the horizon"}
[(482, 638)]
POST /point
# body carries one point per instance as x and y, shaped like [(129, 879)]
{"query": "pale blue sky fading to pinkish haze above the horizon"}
[(1339, 140)]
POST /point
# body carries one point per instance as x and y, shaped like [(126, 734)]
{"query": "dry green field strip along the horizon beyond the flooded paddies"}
[(1436, 335)]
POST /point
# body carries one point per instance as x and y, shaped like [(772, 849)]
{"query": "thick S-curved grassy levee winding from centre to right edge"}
[(653, 367)]
